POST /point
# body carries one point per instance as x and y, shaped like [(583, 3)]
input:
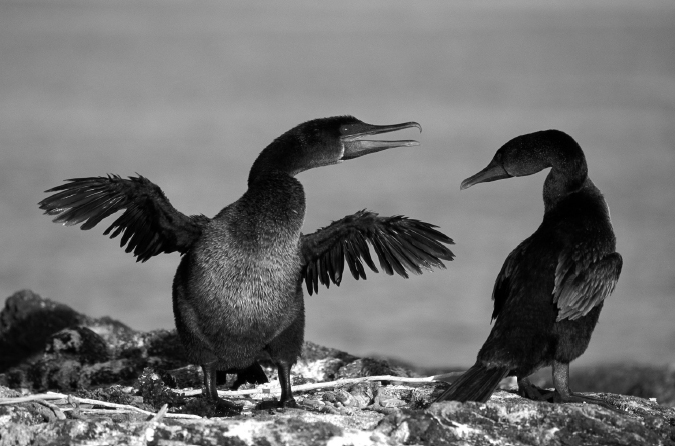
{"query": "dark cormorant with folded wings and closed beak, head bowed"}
[(551, 288)]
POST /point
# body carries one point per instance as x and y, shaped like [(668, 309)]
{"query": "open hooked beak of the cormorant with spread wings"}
[(355, 146)]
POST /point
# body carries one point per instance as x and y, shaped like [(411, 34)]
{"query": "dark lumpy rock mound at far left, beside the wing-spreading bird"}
[(51, 346)]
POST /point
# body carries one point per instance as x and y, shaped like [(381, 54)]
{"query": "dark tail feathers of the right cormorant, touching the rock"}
[(476, 384)]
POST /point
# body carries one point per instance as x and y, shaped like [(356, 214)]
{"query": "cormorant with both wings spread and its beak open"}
[(238, 289)]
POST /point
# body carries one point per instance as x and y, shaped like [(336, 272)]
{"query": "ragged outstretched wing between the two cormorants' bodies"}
[(401, 244)]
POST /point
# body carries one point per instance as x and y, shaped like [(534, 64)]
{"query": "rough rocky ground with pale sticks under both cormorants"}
[(66, 378)]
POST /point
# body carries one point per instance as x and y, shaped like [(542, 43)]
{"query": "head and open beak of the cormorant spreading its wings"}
[(325, 141)]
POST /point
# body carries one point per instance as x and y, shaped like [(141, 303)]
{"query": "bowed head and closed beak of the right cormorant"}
[(531, 153)]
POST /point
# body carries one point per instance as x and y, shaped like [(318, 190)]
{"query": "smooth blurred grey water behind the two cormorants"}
[(188, 92)]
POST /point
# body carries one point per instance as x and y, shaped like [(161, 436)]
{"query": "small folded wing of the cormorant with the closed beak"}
[(583, 281)]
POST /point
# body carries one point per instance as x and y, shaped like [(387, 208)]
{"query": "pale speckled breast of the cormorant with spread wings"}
[(248, 284)]
